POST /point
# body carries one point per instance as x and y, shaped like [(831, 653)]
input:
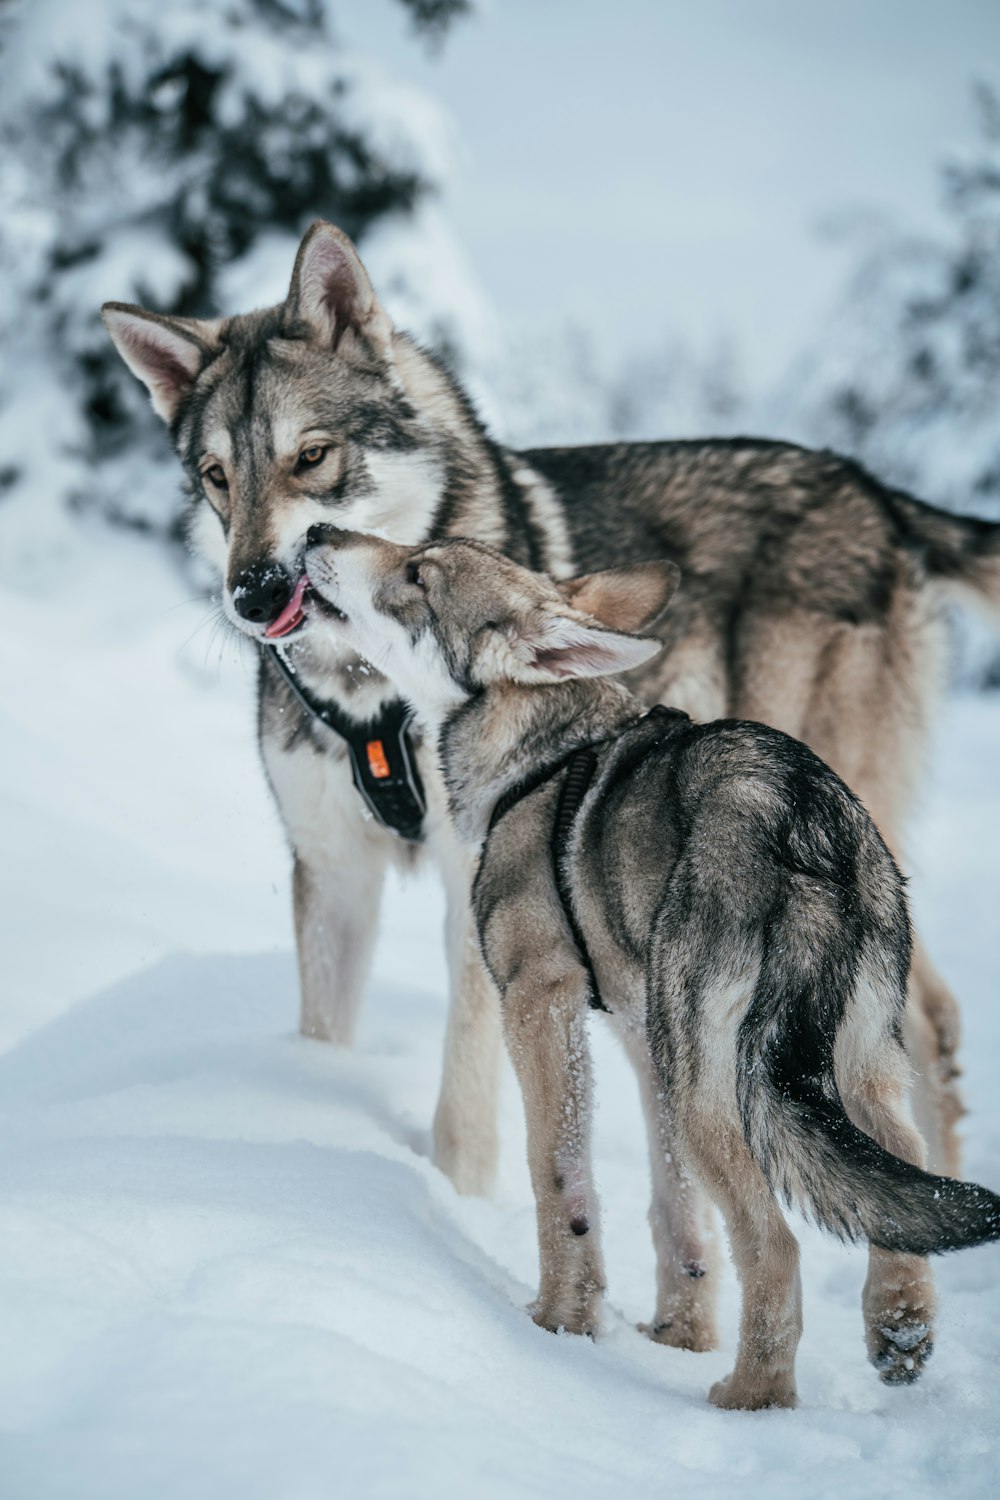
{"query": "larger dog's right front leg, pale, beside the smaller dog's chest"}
[(466, 1121)]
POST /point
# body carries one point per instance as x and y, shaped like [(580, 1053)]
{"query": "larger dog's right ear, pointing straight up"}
[(332, 295)]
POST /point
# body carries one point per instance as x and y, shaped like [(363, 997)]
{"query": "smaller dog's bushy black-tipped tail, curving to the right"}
[(813, 1154)]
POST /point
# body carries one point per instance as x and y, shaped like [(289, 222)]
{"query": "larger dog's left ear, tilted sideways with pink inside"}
[(167, 355)]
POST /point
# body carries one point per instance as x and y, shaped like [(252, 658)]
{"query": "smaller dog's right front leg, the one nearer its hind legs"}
[(681, 1223)]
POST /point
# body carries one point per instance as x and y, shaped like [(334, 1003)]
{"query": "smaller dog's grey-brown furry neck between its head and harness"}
[(507, 733)]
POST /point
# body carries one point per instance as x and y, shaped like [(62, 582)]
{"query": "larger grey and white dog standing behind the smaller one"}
[(813, 602)]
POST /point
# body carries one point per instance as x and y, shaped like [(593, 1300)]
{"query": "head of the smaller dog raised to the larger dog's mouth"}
[(449, 619)]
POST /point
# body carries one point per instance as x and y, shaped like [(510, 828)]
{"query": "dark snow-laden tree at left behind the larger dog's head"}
[(172, 155)]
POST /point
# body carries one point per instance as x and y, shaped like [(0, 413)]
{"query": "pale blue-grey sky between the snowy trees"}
[(642, 166)]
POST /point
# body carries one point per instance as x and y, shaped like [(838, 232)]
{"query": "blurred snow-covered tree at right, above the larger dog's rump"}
[(908, 376)]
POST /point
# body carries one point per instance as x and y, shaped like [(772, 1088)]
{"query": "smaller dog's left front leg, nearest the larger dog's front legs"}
[(546, 1033)]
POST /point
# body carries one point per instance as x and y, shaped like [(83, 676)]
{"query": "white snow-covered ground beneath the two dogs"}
[(227, 1264)]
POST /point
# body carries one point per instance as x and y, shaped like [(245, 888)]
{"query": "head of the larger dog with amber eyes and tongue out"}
[(286, 418)]
